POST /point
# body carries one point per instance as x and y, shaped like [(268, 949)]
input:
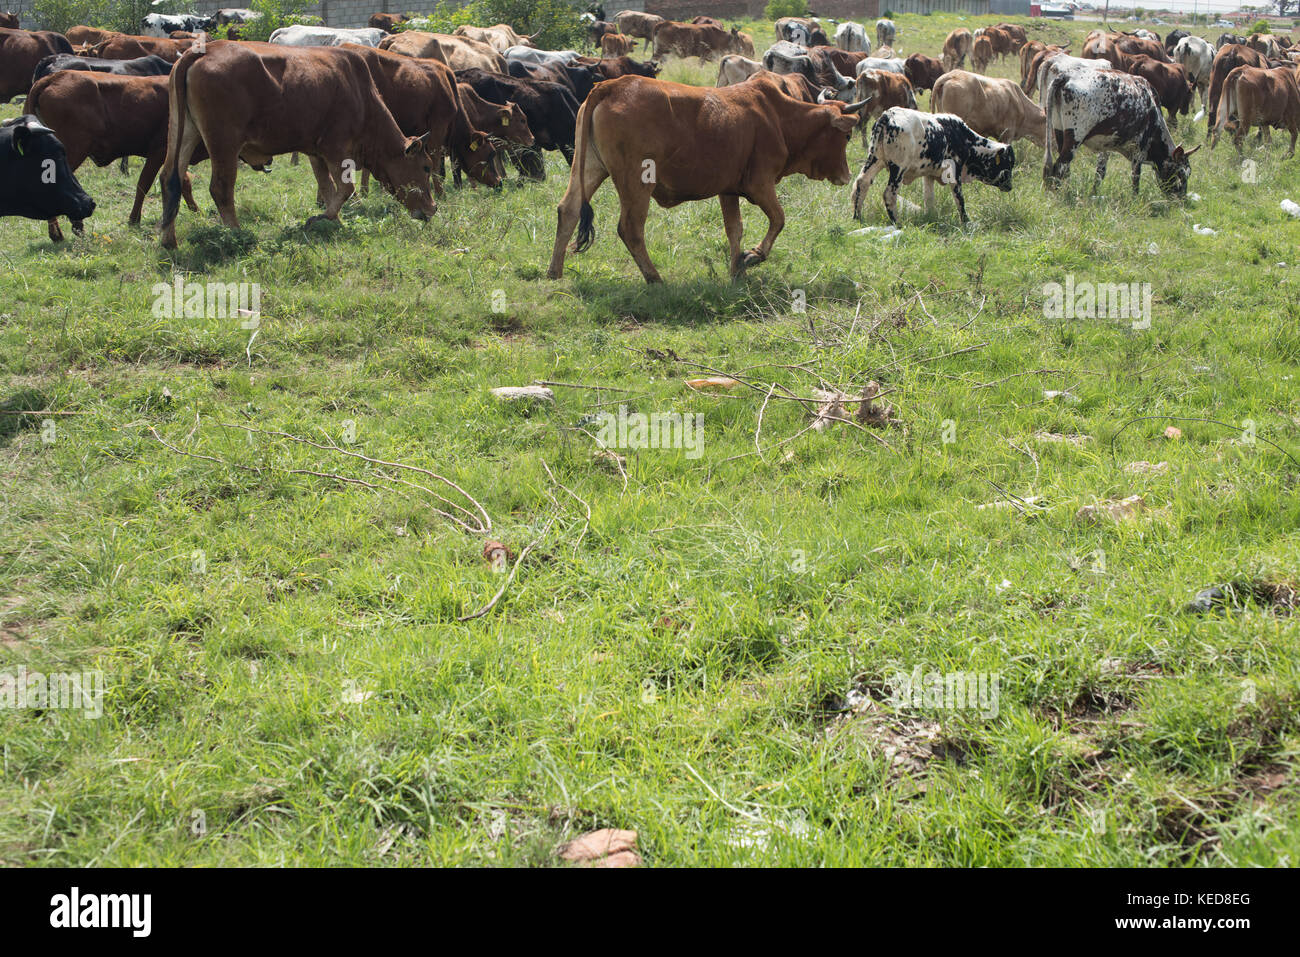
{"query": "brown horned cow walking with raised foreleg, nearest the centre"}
[(744, 138)]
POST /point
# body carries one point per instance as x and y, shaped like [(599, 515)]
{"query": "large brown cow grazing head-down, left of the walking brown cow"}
[(255, 101)]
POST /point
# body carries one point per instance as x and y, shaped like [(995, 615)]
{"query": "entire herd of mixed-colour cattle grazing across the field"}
[(396, 103)]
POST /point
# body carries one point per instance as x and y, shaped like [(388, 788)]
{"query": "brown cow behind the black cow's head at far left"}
[(107, 118)]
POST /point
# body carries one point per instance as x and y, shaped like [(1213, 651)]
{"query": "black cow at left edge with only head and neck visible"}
[(28, 153)]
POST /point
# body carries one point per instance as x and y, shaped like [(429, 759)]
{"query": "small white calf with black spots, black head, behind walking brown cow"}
[(933, 146)]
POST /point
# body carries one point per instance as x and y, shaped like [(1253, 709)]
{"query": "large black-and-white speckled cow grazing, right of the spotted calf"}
[(1111, 112)]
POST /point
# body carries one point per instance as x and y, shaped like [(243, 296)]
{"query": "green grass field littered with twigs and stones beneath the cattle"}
[(704, 649)]
